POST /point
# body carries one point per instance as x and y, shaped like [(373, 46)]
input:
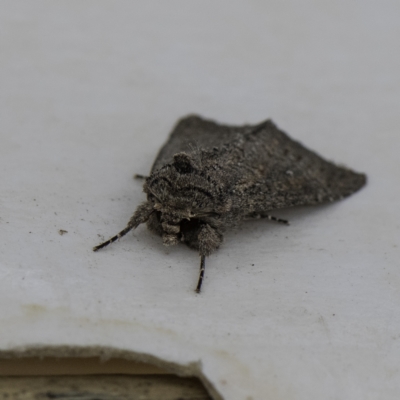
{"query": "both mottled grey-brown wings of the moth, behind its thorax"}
[(260, 166)]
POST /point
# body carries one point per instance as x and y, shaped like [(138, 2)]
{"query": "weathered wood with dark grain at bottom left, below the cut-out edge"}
[(104, 387)]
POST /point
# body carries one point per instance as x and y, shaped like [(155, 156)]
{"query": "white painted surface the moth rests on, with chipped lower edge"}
[(90, 91)]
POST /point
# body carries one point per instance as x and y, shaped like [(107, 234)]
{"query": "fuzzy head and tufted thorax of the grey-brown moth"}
[(184, 197)]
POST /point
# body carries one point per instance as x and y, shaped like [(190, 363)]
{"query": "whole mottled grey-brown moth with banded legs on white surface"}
[(209, 177)]
